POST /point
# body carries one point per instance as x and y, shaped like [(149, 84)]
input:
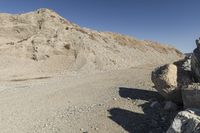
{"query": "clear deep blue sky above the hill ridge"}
[(174, 22)]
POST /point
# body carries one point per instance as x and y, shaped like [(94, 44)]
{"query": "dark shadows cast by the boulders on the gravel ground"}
[(153, 120)]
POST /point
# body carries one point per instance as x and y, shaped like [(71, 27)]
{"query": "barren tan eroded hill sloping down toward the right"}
[(43, 40)]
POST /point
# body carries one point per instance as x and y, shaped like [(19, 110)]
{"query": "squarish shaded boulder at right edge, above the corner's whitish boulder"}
[(191, 96)]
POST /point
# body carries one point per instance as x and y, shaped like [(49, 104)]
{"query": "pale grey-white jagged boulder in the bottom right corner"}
[(187, 121)]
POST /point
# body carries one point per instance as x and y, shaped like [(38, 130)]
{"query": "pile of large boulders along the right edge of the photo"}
[(180, 82)]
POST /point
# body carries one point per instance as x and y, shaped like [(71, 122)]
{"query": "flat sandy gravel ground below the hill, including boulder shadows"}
[(116, 101)]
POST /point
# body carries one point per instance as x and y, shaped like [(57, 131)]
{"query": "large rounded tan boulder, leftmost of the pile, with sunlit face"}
[(165, 81)]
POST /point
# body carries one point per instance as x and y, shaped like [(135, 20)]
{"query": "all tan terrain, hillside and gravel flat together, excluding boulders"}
[(57, 77)]
